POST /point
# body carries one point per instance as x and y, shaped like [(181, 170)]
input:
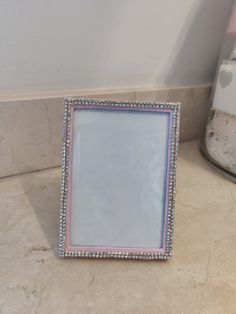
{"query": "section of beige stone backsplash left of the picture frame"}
[(30, 135)]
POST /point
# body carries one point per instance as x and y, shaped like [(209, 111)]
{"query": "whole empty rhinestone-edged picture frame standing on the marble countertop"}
[(118, 179)]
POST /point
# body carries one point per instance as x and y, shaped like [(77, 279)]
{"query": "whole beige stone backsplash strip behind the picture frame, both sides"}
[(31, 130)]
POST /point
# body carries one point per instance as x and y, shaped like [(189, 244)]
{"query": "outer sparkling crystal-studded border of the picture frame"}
[(125, 105)]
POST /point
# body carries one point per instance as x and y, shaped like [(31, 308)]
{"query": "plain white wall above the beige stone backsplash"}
[(53, 45)]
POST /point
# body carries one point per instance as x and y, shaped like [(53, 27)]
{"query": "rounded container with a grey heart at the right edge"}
[(219, 142)]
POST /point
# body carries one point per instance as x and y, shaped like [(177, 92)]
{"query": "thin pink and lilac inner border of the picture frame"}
[(94, 249)]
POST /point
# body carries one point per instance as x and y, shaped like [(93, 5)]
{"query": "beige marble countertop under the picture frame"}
[(200, 278)]
